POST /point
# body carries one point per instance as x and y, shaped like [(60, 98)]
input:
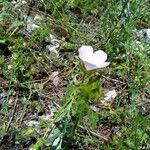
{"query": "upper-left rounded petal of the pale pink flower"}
[(85, 52)]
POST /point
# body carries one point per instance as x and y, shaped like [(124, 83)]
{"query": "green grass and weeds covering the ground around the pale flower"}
[(106, 25)]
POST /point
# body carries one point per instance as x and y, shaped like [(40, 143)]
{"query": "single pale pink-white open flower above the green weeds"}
[(92, 60)]
